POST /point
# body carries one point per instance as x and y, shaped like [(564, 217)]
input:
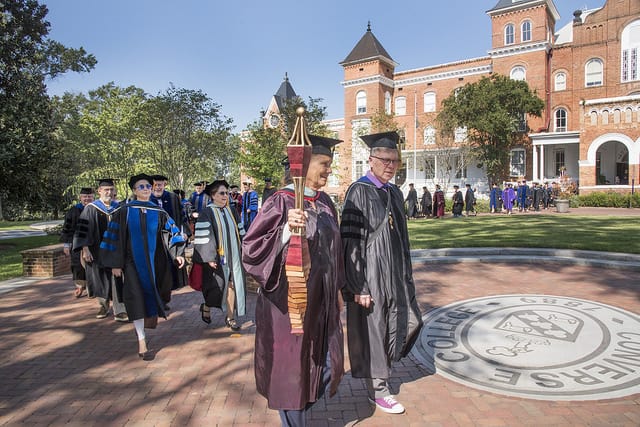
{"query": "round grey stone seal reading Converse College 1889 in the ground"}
[(534, 346)]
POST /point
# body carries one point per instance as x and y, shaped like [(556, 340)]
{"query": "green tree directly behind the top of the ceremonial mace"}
[(263, 149)]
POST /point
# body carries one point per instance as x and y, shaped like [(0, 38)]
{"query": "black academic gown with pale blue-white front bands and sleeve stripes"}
[(215, 282)]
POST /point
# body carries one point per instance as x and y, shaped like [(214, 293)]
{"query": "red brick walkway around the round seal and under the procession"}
[(61, 366)]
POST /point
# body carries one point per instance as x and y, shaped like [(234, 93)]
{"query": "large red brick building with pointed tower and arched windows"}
[(586, 72)]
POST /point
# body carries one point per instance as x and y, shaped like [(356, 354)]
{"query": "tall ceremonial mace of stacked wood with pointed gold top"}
[(298, 262)]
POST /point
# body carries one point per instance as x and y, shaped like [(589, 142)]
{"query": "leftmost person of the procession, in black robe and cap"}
[(68, 230)]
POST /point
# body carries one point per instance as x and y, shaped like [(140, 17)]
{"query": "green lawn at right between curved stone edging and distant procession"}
[(596, 233)]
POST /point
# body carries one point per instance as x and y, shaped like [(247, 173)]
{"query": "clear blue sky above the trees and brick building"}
[(237, 52)]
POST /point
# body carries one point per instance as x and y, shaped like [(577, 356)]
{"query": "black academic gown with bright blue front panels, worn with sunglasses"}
[(140, 238)]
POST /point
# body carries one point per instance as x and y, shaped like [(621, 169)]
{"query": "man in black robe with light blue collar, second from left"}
[(91, 227)]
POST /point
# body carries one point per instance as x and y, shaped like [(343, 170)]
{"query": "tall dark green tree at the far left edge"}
[(27, 59)]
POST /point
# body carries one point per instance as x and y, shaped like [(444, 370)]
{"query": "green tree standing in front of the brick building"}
[(493, 112)]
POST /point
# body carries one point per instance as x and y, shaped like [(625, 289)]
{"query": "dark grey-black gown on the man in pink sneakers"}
[(378, 263)]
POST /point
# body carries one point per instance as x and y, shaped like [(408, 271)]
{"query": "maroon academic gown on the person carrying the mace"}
[(288, 367)]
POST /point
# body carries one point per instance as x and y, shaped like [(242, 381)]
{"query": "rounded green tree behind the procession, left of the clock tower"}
[(187, 136)]
